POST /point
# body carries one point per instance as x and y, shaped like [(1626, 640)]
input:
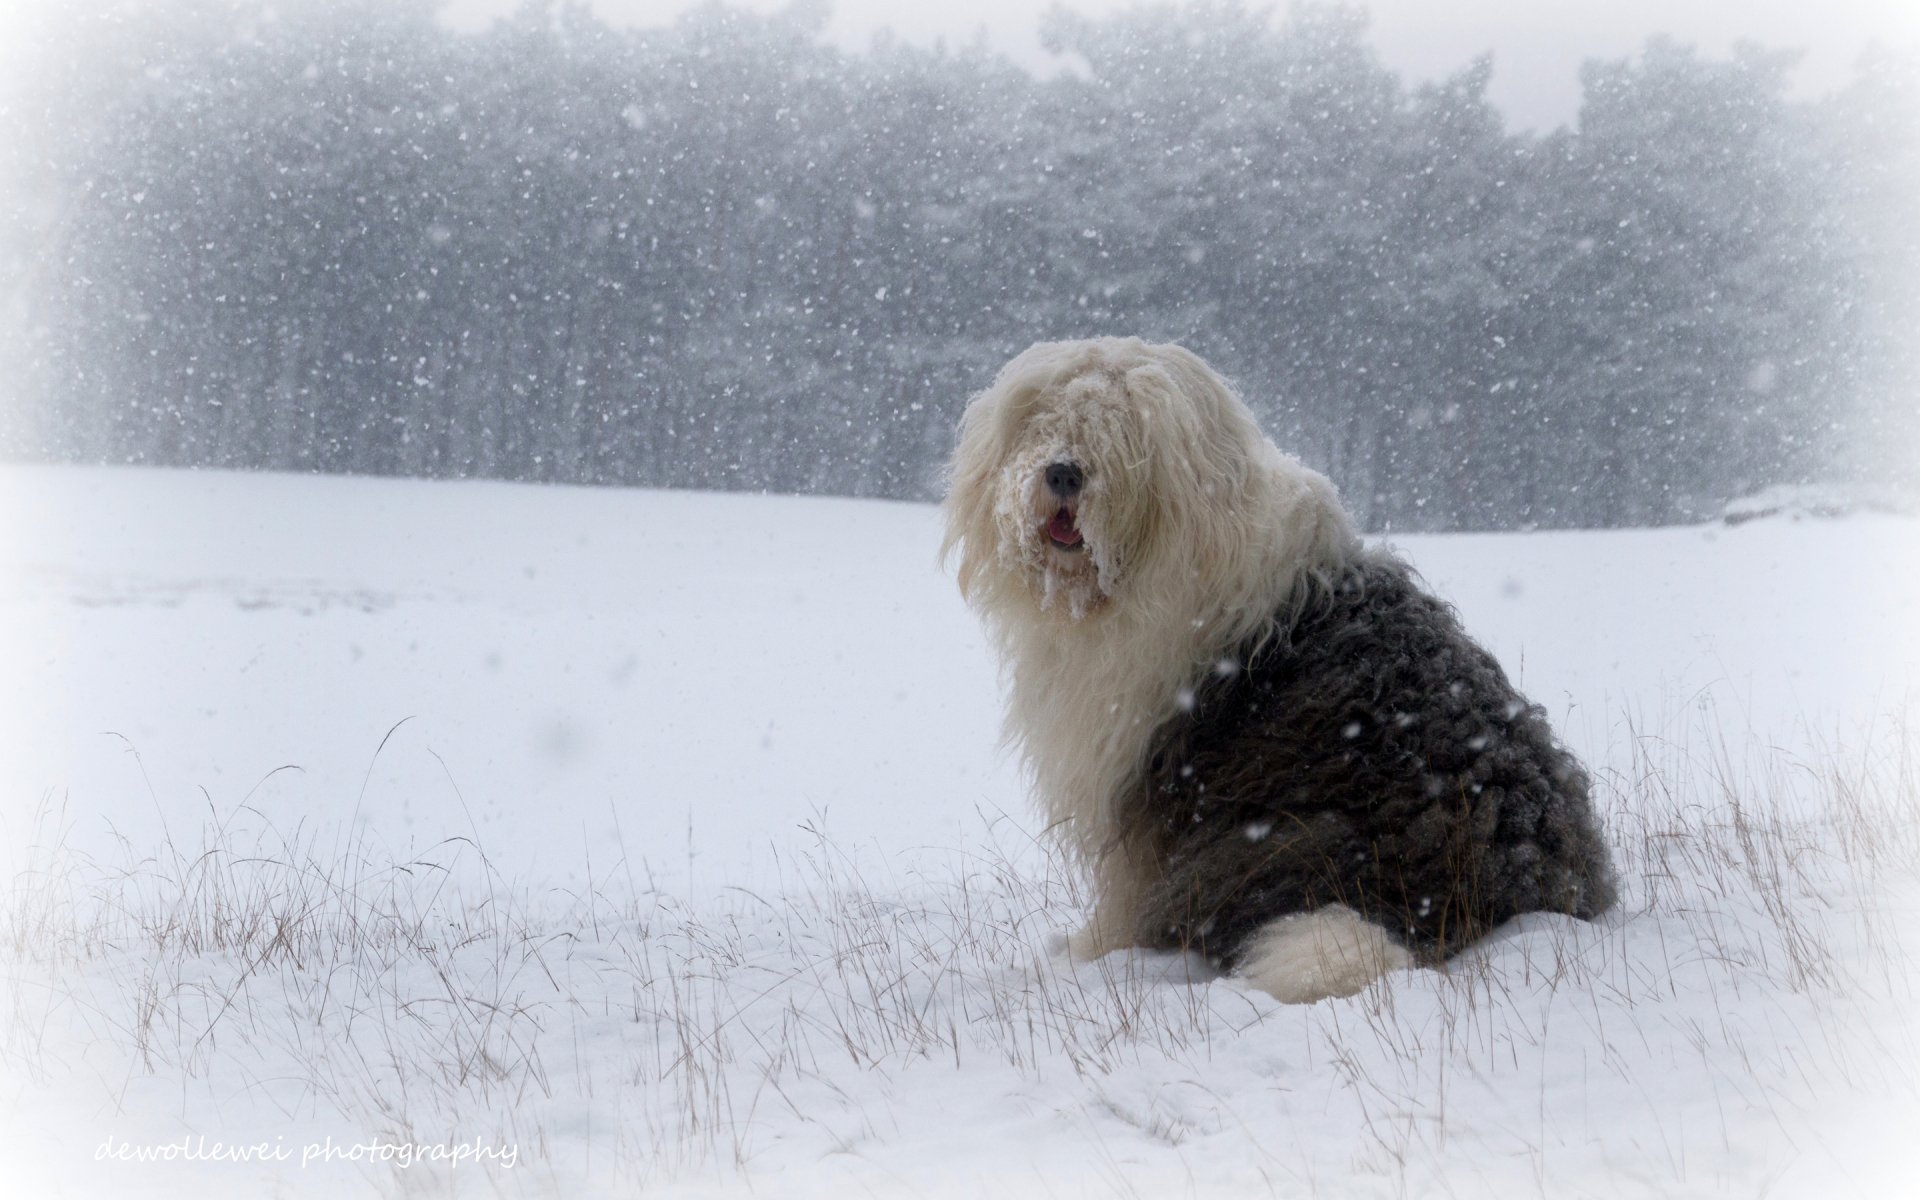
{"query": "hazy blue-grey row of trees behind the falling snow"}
[(723, 254)]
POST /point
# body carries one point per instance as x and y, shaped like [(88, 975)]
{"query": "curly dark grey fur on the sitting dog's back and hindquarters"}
[(1368, 756)]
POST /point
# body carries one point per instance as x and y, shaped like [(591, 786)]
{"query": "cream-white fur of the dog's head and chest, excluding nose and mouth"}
[(1203, 535)]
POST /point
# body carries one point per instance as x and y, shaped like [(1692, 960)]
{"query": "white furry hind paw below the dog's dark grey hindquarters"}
[(1326, 953)]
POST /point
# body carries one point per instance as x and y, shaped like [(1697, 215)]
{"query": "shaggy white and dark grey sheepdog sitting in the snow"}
[(1264, 740)]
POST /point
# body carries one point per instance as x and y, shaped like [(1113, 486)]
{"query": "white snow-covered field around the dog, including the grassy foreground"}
[(608, 844)]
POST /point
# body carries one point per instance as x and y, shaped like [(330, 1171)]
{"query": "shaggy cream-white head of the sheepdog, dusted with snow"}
[(1097, 471)]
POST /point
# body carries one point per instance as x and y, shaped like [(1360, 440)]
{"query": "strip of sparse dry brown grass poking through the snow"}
[(433, 994)]
